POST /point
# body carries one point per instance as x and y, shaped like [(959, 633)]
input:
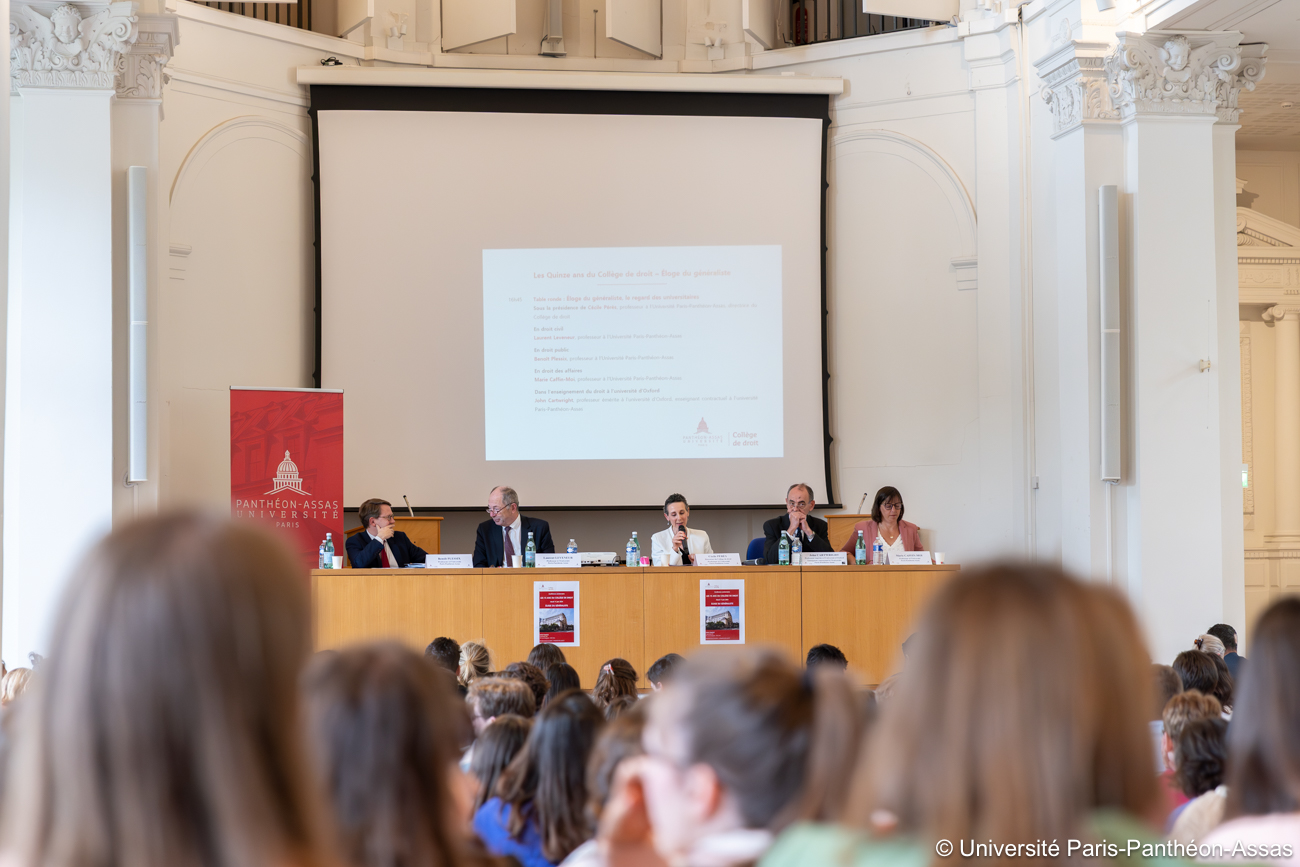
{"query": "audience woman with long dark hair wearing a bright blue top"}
[(538, 816)]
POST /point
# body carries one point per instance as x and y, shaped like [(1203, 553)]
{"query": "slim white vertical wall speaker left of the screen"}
[(137, 257)]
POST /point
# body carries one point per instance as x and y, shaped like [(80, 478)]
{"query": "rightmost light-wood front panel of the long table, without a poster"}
[(868, 612)]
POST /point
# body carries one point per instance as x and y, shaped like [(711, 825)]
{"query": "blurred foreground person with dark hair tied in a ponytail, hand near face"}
[(742, 747)]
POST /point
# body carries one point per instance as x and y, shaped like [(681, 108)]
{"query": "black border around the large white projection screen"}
[(584, 102)]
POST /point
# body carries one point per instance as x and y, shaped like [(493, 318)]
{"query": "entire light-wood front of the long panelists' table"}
[(636, 613)]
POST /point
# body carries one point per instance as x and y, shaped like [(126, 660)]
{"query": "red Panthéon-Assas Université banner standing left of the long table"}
[(287, 465)]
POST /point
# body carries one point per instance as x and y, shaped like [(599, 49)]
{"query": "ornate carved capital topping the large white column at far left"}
[(67, 49)]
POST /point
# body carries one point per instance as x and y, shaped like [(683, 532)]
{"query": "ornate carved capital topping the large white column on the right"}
[(1176, 75)]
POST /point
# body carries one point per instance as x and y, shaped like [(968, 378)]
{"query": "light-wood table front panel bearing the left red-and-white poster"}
[(610, 608)]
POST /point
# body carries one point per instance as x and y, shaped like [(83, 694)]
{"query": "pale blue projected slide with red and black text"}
[(634, 353)]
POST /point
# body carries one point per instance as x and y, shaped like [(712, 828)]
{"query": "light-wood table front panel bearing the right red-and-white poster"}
[(773, 609)]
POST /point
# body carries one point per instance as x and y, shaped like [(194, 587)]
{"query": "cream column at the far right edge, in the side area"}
[(1286, 330)]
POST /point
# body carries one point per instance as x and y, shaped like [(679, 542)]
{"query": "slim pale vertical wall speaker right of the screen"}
[(1108, 216)]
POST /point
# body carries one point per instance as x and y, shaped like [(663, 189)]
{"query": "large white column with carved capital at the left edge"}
[(59, 436)]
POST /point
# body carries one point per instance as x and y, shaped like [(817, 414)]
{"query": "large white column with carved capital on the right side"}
[(1169, 90)]
